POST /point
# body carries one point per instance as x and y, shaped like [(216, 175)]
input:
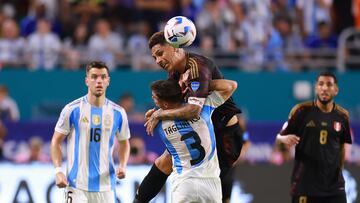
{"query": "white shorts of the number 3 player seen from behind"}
[(206, 190)]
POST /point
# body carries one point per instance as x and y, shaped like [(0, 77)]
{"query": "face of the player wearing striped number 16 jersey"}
[(97, 81)]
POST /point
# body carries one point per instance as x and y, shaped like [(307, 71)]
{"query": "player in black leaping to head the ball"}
[(194, 73)]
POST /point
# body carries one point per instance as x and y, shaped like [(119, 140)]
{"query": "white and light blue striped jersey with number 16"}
[(90, 134)]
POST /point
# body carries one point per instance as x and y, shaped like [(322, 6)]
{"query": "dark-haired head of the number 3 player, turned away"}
[(166, 93)]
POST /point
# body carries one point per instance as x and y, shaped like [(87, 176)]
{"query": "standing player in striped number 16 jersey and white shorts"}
[(91, 125)]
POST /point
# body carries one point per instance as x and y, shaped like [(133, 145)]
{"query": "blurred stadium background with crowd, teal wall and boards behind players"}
[(272, 48)]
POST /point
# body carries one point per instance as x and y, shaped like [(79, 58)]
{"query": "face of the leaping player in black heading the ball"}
[(164, 56)]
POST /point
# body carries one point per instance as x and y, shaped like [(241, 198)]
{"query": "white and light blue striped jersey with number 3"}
[(192, 143)]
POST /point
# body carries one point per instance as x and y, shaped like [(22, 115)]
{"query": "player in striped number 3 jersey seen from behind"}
[(191, 143)]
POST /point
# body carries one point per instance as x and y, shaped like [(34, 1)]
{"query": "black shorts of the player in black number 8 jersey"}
[(312, 199)]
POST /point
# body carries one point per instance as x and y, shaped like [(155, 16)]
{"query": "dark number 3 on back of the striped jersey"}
[(196, 145)]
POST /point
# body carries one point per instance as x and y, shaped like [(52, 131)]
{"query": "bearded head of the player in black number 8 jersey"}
[(326, 87)]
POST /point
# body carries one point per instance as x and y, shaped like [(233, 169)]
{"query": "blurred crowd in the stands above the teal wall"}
[(285, 35)]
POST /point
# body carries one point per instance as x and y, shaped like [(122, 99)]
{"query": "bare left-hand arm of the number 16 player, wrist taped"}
[(56, 156)]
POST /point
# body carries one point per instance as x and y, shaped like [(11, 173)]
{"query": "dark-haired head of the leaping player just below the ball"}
[(165, 55)]
